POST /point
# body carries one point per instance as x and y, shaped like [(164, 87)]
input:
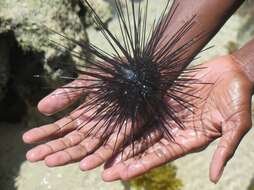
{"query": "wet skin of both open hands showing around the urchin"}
[(224, 112)]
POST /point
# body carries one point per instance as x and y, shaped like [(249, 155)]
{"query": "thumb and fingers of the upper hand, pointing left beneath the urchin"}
[(65, 141)]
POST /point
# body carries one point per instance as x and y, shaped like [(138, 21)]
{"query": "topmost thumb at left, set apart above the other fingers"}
[(62, 97)]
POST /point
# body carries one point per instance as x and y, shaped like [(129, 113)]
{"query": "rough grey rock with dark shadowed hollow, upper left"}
[(27, 50)]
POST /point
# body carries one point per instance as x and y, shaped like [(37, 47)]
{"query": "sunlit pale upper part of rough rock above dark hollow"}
[(28, 18)]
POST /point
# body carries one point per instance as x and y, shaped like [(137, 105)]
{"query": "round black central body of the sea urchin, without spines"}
[(136, 87)]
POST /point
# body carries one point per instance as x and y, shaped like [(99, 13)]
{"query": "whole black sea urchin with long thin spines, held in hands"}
[(141, 85)]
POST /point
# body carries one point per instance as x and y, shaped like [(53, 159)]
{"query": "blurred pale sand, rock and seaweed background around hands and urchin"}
[(25, 51)]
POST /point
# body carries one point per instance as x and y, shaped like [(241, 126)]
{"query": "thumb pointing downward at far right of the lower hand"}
[(234, 132)]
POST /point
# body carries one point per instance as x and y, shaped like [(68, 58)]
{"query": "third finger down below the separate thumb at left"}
[(72, 154)]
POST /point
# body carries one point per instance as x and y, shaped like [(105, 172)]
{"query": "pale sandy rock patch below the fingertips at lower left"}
[(62, 178)]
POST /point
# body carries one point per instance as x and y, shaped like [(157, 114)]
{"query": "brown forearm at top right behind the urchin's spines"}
[(210, 16)]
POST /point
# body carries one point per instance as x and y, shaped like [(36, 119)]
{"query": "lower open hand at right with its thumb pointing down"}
[(225, 114)]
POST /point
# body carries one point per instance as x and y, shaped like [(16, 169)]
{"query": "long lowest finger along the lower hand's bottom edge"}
[(186, 141)]
